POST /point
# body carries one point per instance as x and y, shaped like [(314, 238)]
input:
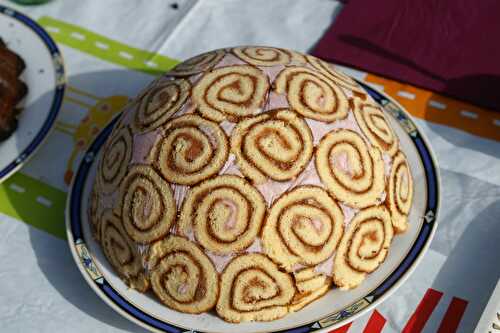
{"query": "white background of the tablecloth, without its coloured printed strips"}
[(41, 290)]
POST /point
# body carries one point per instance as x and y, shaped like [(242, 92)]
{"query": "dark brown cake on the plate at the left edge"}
[(12, 90)]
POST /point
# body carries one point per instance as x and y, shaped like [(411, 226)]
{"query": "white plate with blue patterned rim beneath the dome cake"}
[(336, 308)]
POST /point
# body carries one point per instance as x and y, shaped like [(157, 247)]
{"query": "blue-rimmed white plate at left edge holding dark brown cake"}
[(44, 76)]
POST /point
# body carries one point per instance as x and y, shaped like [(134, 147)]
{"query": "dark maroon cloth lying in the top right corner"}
[(448, 46)]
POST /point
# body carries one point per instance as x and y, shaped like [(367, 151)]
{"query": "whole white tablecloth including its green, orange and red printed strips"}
[(41, 290)]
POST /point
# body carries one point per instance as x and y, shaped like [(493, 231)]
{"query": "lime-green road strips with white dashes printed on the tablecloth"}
[(28, 199)]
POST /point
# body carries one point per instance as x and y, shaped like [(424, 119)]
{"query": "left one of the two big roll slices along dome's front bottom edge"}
[(182, 276)]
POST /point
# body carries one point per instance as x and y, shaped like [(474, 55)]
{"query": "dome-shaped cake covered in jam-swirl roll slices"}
[(250, 181)]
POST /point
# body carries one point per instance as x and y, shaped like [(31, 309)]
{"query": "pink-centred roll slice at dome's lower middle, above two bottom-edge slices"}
[(225, 213)]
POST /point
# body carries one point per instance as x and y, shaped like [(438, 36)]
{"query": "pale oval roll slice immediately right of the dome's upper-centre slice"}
[(352, 171)]
